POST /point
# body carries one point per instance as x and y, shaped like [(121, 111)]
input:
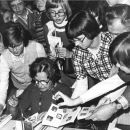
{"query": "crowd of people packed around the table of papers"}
[(76, 52)]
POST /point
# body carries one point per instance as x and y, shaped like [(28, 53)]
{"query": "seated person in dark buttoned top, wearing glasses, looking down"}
[(46, 82)]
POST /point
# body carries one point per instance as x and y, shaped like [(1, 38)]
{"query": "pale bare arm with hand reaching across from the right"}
[(99, 89)]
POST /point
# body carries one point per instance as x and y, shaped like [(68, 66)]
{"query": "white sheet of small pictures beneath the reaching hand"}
[(61, 116)]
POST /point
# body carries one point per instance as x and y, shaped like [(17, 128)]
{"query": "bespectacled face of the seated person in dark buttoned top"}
[(42, 81)]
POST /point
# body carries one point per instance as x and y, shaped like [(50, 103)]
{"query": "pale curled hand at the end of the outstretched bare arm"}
[(66, 100)]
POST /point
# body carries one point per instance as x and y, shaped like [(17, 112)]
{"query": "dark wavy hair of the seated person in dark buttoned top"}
[(45, 65)]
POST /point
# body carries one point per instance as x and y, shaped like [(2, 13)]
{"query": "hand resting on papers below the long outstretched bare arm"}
[(103, 112)]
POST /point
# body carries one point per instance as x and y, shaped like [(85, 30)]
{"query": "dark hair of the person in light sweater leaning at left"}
[(13, 34)]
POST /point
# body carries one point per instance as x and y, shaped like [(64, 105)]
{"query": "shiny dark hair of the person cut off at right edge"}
[(120, 49)]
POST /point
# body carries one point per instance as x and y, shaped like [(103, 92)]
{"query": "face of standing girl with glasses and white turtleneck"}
[(58, 14)]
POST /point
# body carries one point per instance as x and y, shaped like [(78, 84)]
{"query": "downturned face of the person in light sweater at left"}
[(16, 48)]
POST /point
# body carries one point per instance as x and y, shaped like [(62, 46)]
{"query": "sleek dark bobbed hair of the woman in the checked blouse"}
[(82, 23)]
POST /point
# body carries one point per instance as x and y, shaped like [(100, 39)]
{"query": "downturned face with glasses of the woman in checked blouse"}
[(82, 41)]
